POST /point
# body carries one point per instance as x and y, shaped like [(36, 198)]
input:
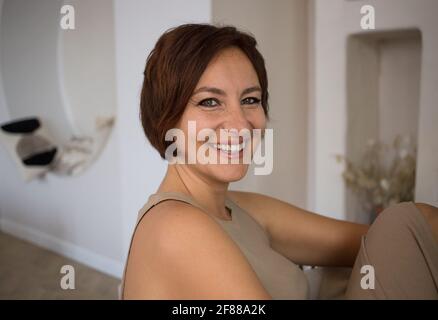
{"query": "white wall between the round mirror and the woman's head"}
[(90, 217)]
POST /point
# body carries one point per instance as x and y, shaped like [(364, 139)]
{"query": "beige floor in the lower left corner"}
[(30, 272)]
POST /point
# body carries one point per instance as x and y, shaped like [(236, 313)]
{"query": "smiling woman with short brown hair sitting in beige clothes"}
[(200, 241)]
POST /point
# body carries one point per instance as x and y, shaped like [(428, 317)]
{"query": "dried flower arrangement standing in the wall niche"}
[(385, 174)]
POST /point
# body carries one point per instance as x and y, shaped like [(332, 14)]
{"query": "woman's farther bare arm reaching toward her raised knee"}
[(302, 236)]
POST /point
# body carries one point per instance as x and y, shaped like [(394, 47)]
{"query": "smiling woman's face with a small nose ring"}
[(227, 96)]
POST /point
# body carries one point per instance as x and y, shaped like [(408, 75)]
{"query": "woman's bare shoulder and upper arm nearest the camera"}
[(175, 251)]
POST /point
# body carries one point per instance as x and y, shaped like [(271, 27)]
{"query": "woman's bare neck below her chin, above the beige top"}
[(208, 193)]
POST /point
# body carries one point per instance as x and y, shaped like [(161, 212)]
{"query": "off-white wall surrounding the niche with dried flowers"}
[(333, 22)]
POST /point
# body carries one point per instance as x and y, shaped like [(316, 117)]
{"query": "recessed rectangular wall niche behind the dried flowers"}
[(383, 95)]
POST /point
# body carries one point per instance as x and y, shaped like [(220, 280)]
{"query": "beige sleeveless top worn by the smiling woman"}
[(281, 278)]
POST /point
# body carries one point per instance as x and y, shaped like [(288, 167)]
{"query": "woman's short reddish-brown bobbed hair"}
[(174, 67)]
